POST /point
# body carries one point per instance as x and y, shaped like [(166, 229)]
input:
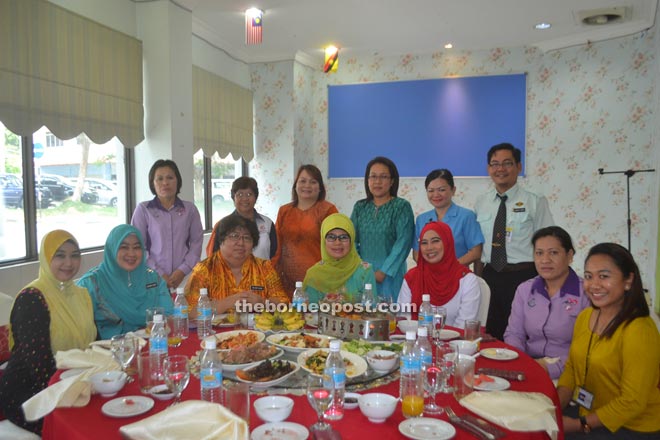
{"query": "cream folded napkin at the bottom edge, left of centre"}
[(192, 419)]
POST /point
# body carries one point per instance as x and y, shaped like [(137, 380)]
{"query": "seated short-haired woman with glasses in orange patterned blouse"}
[(232, 273)]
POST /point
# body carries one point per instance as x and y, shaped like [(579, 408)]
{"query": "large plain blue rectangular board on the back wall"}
[(425, 124)]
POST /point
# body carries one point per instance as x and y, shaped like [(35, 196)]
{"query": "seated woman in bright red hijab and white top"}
[(439, 274)]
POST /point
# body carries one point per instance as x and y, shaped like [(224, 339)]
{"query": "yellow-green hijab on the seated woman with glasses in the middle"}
[(330, 274)]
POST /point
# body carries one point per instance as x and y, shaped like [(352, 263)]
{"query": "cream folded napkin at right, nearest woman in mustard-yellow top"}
[(514, 410)]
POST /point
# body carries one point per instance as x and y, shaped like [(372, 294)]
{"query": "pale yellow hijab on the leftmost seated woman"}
[(70, 307)]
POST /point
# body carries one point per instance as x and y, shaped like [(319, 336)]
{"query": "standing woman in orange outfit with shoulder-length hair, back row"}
[(298, 227)]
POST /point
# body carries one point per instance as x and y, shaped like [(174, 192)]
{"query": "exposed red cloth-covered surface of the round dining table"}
[(89, 422)]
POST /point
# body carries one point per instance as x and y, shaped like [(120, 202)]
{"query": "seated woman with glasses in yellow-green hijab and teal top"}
[(340, 271)]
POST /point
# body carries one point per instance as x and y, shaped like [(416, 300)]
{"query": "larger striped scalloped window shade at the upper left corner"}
[(69, 73)]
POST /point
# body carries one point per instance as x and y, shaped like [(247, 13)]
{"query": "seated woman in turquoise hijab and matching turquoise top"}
[(122, 287)]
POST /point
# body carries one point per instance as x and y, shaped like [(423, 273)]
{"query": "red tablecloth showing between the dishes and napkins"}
[(90, 423)]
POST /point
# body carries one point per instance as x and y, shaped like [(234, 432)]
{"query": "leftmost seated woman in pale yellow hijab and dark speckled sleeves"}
[(50, 314)]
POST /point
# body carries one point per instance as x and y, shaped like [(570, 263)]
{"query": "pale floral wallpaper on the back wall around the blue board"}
[(588, 107)]
